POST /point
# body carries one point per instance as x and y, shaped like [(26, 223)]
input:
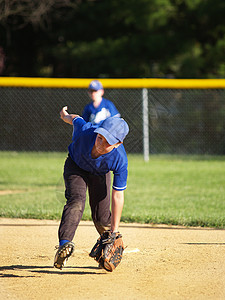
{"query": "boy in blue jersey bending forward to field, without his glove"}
[(94, 152)]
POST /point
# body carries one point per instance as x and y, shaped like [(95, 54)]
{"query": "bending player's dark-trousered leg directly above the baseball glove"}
[(99, 197)]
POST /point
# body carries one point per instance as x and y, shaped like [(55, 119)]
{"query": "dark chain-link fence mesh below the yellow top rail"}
[(179, 121)]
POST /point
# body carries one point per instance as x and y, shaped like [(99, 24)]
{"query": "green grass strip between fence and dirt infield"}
[(178, 190)]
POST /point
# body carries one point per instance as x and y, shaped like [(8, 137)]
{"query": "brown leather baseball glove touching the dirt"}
[(108, 250)]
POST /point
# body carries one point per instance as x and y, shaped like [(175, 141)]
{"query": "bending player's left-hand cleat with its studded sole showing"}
[(62, 254)]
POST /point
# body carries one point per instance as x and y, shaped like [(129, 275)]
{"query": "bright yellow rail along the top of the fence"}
[(113, 83)]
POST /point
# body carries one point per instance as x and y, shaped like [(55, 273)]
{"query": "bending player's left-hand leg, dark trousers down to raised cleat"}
[(72, 212)]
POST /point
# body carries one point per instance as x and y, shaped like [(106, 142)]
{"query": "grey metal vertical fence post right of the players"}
[(145, 124)]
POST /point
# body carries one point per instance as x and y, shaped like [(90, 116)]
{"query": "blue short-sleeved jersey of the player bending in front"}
[(83, 141)]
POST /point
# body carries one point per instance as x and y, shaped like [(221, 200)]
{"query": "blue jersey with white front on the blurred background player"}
[(95, 115)]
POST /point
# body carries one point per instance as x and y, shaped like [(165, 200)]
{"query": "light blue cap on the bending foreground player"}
[(114, 130)]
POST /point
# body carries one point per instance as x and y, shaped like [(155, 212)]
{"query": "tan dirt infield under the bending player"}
[(160, 262)]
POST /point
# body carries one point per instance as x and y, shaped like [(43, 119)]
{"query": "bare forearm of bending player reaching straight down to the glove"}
[(116, 209)]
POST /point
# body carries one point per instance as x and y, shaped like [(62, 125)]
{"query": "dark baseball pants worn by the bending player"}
[(77, 181)]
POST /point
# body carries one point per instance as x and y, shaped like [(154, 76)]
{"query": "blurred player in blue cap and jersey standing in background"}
[(100, 108)]
